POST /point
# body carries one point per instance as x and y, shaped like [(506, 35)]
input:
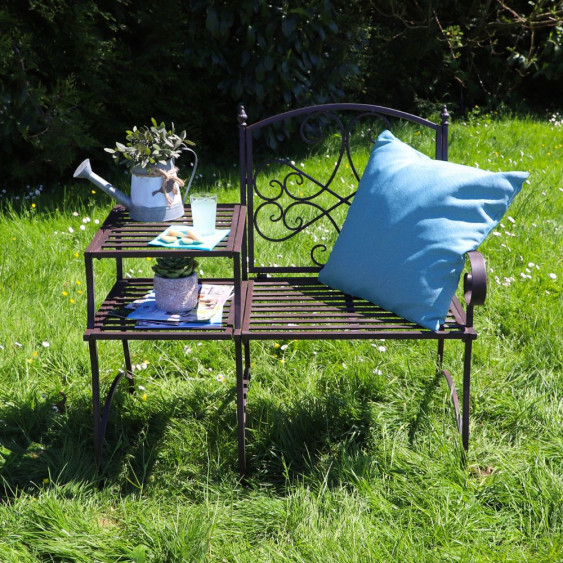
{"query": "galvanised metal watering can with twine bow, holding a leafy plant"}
[(153, 198)]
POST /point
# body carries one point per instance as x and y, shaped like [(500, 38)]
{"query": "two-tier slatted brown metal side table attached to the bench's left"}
[(120, 238)]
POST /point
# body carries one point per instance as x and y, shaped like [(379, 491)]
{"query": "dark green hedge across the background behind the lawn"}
[(74, 75)]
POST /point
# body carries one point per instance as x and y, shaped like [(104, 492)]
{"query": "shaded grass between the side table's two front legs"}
[(167, 442)]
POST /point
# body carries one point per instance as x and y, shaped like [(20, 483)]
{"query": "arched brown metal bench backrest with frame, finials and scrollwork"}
[(298, 191)]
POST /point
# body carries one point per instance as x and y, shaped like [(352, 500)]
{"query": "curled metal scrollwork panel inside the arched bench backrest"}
[(303, 206)]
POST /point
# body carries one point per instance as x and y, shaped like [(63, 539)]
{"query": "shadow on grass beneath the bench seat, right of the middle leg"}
[(340, 433)]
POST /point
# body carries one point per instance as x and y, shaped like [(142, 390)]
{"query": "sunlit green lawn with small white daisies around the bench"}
[(352, 446)]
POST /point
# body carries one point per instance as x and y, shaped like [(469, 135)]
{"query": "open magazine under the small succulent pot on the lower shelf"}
[(207, 314)]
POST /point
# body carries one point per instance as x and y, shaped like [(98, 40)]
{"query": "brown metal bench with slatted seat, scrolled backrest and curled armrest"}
[(293, 220)]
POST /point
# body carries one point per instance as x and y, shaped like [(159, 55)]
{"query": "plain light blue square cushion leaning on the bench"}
[(412, 220)]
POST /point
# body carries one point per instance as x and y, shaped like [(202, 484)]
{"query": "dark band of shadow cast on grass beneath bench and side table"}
[(309, 436)]
